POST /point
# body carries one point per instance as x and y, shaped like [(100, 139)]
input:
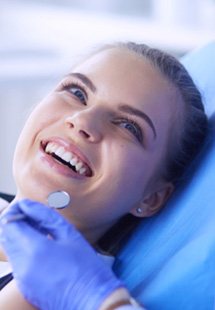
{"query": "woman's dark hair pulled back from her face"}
[(190, 138)]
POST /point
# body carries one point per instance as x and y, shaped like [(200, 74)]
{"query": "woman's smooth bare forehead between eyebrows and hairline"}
[(123, 76)]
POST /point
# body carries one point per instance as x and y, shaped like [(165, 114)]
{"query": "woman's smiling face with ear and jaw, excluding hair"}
[(100, 135)]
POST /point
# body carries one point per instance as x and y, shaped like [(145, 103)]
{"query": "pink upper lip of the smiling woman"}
[(70, 147)]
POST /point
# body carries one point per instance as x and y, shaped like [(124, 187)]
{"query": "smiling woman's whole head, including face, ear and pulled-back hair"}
[(117, 134)]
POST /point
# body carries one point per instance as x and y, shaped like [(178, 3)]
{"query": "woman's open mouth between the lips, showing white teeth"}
[(67, 158)]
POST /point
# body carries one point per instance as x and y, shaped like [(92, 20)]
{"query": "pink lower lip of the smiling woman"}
[(58, 167)]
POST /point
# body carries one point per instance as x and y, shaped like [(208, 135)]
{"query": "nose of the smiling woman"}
[(87, 124)]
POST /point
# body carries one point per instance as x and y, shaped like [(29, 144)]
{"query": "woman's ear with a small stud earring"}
[(154, 201)]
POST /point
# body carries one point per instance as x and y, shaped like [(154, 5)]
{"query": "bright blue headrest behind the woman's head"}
[(169, 262)]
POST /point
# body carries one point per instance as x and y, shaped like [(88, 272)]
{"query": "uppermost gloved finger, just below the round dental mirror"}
[(47, 219)]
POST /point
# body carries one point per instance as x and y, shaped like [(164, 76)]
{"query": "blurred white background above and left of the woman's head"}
[(41, 39)]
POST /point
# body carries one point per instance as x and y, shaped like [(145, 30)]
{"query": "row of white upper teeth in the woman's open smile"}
[(69, 157)]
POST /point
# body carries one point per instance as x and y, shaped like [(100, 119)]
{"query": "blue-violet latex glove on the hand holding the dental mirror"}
[(54, 273)]
